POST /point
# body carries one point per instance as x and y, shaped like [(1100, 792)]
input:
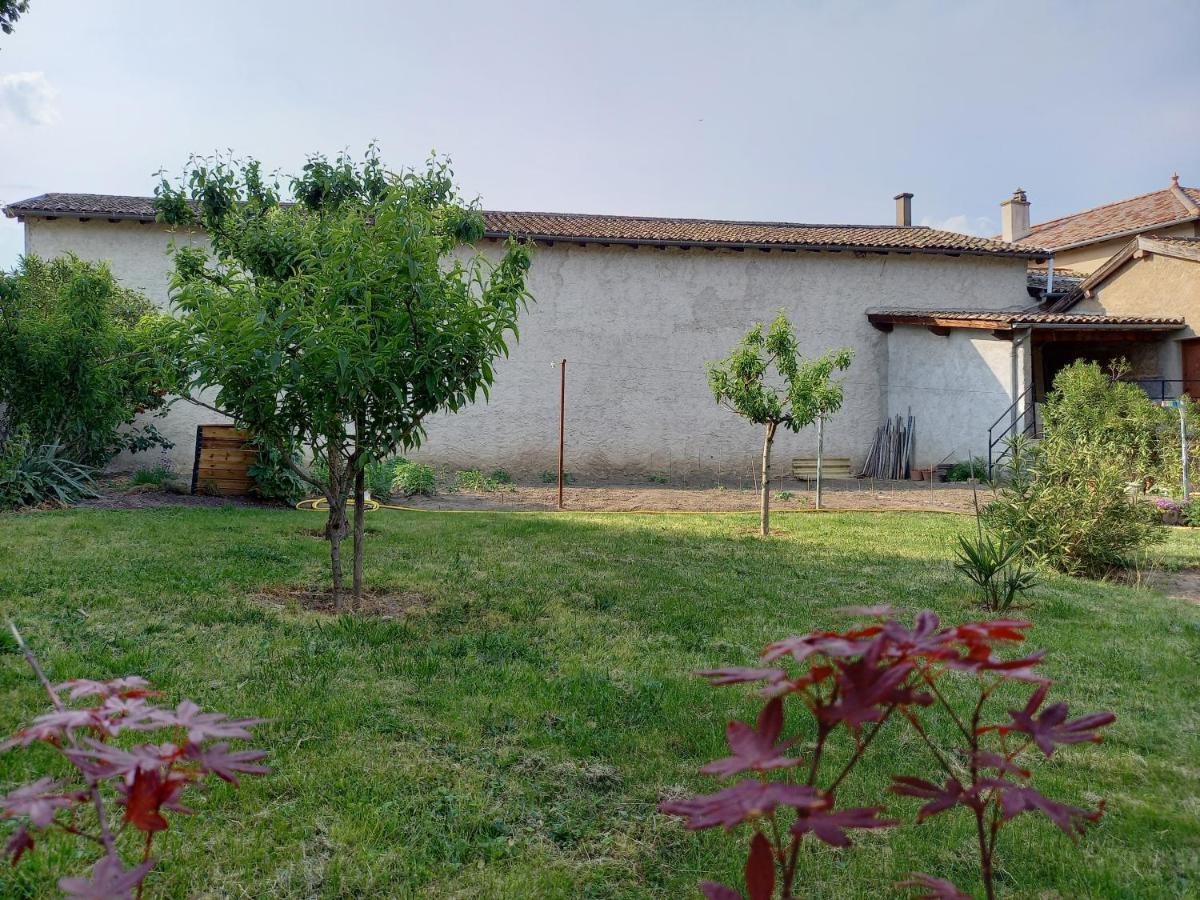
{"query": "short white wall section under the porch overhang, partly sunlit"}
[(955, 386)]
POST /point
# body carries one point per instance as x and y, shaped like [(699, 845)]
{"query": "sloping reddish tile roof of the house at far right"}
[(1138, 214)]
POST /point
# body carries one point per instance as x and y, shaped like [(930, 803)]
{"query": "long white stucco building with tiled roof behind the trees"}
[(638, 305)]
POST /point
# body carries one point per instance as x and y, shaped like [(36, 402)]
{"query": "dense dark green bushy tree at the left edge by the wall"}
[(81, 357)]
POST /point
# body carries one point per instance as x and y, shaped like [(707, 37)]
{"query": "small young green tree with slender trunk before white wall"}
[(794, 397)]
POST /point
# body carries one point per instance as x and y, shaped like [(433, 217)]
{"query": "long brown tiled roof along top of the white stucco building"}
[(584, 229)]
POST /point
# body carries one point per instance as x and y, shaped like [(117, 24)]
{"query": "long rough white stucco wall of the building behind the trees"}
[(637, 327)]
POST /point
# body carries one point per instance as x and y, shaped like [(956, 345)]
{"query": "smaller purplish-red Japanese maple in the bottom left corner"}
[(146, 779)]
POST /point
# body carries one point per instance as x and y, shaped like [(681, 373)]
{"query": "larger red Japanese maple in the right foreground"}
[(853, 685)]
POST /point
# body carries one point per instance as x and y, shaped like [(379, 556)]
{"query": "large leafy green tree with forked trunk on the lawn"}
[(341, 321)]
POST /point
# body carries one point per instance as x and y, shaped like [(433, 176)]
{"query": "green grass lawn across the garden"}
[(514, 739)]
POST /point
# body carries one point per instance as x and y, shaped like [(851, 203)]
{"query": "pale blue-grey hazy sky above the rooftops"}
[(802, 111)]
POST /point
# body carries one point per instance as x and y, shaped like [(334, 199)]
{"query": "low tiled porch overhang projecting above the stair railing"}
[(1043, 327)]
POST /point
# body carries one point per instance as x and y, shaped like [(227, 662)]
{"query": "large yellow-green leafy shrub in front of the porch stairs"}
[(1066, 500)]
